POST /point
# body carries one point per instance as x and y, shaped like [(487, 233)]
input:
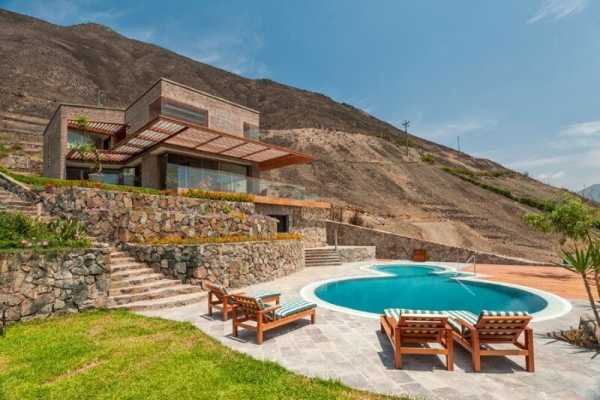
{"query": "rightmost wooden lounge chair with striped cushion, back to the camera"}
[(476, 333)]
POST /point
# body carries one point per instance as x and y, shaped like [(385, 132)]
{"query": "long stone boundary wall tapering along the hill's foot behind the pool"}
[(393, 246)]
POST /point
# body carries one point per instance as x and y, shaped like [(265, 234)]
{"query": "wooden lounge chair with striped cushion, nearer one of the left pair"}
[(263, 317)]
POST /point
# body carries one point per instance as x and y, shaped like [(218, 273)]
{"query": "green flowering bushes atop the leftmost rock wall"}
[(19, 231)]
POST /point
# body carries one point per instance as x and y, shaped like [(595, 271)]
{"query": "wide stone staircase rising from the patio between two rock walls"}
[(136, 287)]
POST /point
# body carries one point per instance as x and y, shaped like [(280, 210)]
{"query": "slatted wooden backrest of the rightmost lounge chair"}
[(502, 325)]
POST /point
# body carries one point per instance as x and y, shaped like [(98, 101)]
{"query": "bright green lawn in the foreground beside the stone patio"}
[(118, 355)]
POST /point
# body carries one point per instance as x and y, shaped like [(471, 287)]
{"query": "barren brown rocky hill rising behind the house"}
[(430, 192)]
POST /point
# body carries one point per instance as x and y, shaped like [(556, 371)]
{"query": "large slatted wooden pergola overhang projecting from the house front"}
[(183, 134)]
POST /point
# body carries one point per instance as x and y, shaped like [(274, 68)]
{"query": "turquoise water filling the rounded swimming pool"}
[(419, 287)]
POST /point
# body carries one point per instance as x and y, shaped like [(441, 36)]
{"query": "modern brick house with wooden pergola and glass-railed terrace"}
[(171, 137)]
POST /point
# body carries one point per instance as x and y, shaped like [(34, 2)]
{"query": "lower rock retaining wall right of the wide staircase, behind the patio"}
[(231, 264)]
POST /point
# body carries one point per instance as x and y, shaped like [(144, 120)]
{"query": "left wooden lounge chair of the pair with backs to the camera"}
[(418, 327)]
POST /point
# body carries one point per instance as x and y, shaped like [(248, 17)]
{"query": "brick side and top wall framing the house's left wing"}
[(56, 144)]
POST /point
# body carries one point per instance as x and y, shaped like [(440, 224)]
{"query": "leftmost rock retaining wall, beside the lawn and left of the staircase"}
[(41, 283)]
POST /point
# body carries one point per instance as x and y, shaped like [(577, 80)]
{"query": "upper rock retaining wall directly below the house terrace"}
[(125, 217)]
